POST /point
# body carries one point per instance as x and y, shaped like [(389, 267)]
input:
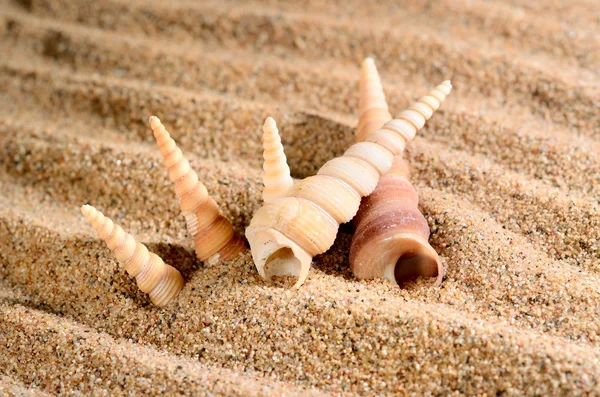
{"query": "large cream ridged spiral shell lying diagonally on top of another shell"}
[(286, 233)]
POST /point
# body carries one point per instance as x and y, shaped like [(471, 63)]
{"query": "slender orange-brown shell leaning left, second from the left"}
[(213, 235)]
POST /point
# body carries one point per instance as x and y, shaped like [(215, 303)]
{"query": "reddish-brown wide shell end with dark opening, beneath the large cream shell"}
[(391, 237)]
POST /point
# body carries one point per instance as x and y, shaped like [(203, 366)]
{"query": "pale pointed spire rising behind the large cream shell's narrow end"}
[(373, 110)]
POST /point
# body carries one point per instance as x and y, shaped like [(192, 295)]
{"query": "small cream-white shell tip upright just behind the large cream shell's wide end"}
[(276, 178)]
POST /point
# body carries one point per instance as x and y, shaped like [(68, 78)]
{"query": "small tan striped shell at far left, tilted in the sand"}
[(161, 281)]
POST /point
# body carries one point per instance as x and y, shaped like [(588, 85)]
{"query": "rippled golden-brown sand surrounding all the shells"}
[(508, 172)]
